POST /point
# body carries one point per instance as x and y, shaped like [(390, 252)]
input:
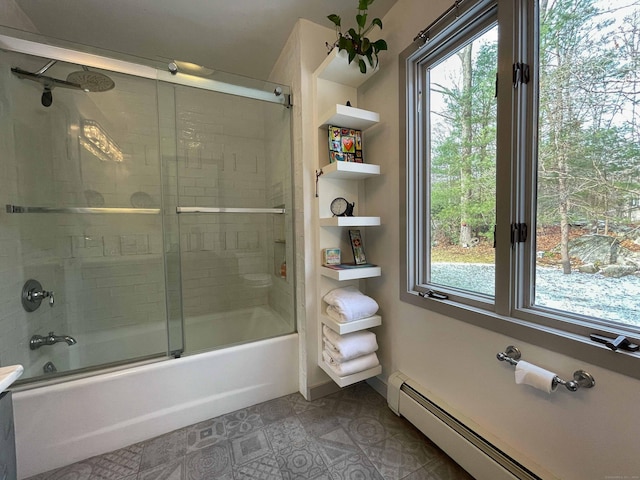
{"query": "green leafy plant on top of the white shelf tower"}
[(355, 42)]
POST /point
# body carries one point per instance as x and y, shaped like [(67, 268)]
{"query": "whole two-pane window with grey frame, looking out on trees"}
[(522, 170)]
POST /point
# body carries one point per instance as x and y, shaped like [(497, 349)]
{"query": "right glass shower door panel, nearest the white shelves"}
[(234, 198)]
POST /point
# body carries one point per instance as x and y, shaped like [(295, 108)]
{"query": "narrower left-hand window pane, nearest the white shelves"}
[(460, 116)]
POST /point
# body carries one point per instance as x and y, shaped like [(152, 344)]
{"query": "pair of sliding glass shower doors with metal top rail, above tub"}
[(146, 214)]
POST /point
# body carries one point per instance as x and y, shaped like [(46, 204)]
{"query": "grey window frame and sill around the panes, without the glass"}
[(517, 113)]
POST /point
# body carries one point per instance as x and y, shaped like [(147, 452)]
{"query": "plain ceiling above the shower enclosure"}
[(237, 36)]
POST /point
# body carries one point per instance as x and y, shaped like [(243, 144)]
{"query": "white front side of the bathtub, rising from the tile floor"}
[(61, 424)]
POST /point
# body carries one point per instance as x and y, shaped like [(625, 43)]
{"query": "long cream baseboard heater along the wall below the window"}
[(479, 457)]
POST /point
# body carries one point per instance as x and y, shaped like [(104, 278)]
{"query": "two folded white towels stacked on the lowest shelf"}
[(349, 353)]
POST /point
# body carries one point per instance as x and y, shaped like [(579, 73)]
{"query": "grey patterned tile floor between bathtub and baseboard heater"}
[(350, 435)]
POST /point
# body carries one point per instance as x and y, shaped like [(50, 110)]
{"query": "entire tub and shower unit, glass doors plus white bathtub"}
[(145, 236)]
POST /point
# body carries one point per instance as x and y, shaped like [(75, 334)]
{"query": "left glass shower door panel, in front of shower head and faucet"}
[(82, 195)]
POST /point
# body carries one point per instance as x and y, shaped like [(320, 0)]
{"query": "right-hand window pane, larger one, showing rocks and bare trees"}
[(588, 160)]
